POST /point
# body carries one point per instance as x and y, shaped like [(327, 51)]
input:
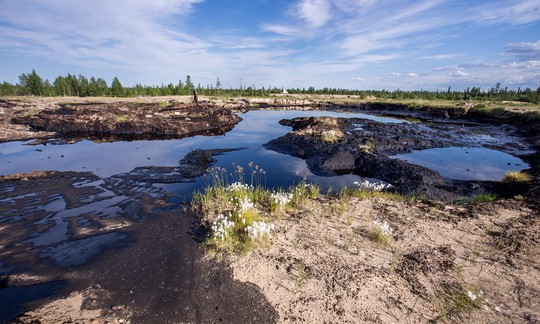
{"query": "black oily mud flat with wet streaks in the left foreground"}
[(119, 255)]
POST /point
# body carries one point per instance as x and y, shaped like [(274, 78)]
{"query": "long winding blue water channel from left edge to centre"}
[(108, 159)]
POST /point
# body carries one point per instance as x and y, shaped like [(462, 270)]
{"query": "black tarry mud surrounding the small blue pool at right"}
[(364, 147)]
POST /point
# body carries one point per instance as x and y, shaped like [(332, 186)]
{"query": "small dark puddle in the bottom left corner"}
[(12, 299)]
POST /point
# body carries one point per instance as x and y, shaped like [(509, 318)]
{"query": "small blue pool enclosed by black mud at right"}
[(463, 163)]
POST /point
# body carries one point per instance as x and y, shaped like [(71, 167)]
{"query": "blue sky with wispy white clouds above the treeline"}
[(354, 44)]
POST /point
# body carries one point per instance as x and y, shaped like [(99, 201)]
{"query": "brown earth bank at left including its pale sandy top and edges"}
[(112, 120)]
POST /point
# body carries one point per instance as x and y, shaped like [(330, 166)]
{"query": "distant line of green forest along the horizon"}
[(80, 86)]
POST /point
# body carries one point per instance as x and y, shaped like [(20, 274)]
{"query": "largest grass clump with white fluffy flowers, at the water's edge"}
[(239, 215)]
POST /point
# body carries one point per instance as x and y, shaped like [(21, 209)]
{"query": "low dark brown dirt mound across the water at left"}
[(131, 120)]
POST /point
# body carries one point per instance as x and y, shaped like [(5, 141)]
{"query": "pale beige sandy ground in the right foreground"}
[(324, 266)]
